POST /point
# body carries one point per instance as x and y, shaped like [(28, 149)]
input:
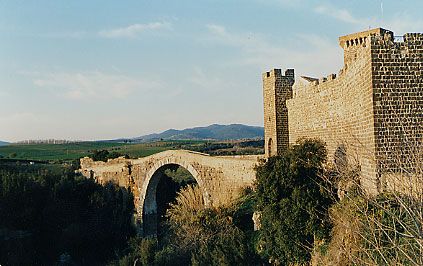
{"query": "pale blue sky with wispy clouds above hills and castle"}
[(98, 69)]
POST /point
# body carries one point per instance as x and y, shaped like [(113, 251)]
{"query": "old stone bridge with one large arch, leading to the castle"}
[(219, 177)]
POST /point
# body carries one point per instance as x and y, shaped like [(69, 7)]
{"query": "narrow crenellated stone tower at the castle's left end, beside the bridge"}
[(276, 90)]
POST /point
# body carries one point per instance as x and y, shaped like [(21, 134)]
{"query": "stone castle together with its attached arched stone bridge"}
[(371, 115)]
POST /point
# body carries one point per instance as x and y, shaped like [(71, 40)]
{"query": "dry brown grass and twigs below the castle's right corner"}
[(384, 229)]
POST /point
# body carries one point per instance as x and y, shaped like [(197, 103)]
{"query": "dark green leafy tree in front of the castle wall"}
[(293, 202)]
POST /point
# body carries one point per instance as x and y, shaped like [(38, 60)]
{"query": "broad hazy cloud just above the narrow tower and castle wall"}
[(309, 54)]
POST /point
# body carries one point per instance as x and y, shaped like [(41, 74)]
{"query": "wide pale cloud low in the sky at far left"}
[(91, 85)]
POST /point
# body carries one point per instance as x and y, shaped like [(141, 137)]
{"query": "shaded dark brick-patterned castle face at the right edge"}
[(397, 70)]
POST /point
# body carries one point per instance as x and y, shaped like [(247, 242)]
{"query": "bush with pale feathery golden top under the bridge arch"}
[(205, 236)]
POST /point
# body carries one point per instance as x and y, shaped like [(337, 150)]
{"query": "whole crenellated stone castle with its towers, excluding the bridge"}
[(370, 114)]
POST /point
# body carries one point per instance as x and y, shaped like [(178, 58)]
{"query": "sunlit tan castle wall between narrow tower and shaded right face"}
[(339, 111)]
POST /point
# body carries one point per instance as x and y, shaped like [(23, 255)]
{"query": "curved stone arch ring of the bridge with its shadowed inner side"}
[(148, 203)]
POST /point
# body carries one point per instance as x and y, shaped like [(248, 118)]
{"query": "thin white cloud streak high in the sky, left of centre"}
[(133, 30)]
